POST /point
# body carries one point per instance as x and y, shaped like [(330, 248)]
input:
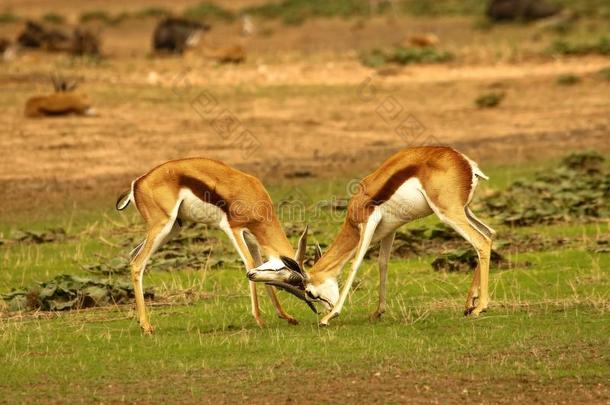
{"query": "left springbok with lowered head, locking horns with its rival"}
[(210, 192)]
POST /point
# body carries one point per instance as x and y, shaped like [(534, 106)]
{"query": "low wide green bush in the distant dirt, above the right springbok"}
[(404, 56)]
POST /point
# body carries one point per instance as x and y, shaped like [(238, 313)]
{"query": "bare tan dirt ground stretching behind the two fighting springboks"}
[(302, 102)]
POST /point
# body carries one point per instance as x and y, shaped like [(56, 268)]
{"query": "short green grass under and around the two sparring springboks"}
[(547, 327)]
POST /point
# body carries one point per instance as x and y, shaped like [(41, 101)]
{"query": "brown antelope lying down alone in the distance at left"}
[(64, 101)]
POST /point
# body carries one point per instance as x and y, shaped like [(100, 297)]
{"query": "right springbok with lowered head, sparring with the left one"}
[(412, 184)]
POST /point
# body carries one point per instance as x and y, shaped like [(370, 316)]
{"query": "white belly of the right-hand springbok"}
[(406, 204)]
